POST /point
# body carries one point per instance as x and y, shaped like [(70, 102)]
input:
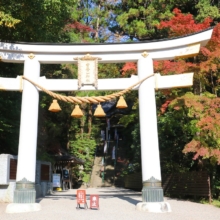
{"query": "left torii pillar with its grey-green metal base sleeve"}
[(27, 148)]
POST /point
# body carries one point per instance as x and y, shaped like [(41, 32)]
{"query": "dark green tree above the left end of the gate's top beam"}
[(40, 21)]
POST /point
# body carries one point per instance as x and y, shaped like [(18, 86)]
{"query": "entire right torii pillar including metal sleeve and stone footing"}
[(152, 192)]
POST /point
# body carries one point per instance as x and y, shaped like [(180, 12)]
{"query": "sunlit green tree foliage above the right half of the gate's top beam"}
[(138, 19)]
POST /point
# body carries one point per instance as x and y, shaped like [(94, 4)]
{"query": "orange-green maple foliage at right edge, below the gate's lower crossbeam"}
[(205, 125)]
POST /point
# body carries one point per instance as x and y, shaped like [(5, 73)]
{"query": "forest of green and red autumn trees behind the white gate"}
[(188, 119)]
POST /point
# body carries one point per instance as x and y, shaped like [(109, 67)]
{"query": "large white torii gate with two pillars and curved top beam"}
[(32, 55)]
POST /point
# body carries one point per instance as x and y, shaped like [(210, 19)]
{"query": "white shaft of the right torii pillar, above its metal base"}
[(148, 121)]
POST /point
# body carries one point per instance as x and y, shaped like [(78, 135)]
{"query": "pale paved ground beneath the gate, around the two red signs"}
[(115, 204)]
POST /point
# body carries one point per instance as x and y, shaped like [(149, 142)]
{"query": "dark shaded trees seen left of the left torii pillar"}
[(9, 112)]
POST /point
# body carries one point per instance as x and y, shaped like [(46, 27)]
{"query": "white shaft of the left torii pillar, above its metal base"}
[(29, 123)]
